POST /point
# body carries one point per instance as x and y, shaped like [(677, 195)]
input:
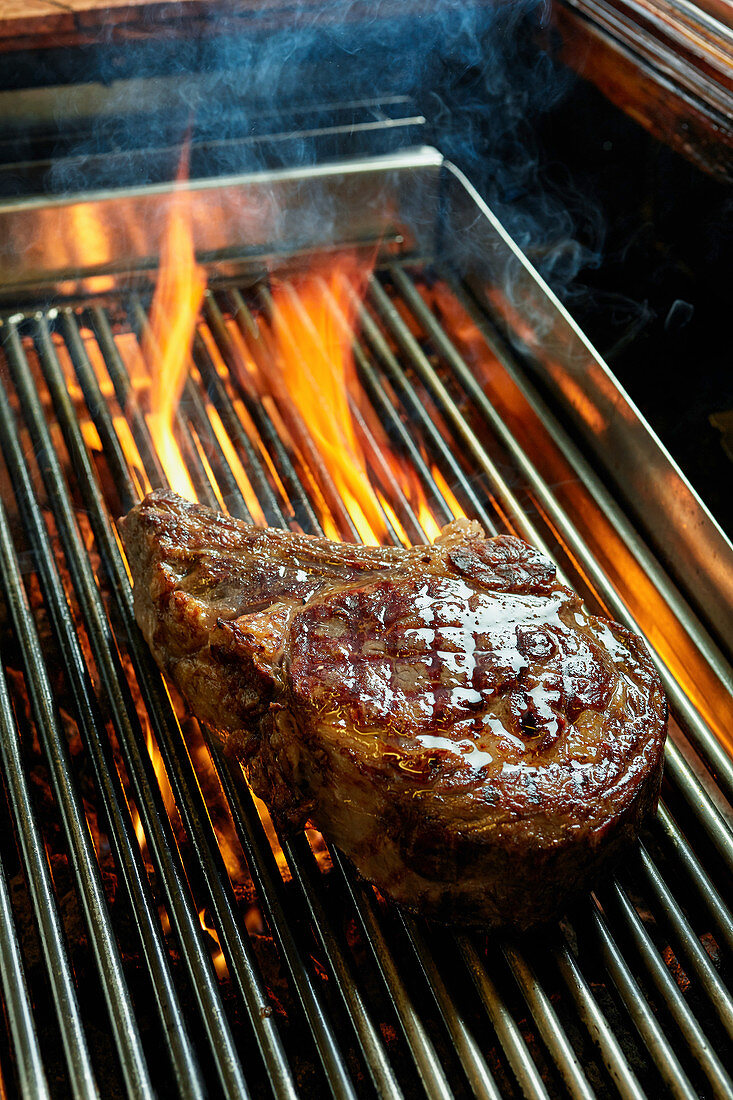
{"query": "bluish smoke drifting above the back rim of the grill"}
[(258, 91)]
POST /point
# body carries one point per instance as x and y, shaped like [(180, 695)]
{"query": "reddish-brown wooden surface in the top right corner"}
[(670, 65)]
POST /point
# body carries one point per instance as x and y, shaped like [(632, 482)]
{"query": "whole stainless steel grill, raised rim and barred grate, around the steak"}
[(157, 937)]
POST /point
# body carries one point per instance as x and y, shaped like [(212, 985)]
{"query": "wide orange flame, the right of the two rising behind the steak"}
[(301, 355)]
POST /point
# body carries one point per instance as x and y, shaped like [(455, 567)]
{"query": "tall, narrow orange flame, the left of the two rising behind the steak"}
[(167, 345)]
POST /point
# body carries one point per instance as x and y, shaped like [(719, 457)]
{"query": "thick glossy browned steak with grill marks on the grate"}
[(450, 716)]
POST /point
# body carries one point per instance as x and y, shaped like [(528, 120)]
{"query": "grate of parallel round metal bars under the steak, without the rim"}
[(155, 937)]
